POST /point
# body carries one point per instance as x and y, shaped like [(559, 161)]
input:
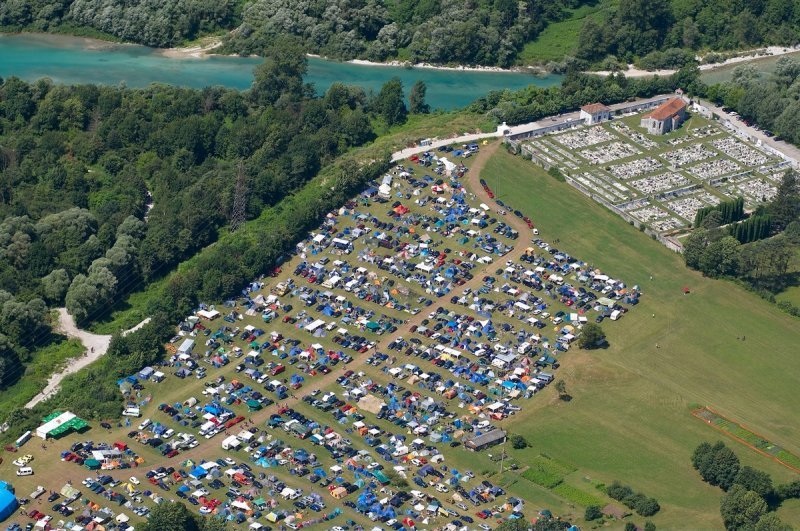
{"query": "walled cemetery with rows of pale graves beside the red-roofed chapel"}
[(659, 181)]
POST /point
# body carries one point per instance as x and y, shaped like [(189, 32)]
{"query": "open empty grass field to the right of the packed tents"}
[(630, 414)]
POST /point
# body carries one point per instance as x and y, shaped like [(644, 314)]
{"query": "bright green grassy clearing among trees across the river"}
[(560, 39)]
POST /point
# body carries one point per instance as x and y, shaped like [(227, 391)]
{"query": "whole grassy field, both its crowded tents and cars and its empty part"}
[(373, 378)]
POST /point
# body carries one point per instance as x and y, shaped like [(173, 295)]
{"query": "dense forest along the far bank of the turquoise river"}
[(653, 33)]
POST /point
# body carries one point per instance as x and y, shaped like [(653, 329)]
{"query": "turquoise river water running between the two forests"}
[(75, 60)]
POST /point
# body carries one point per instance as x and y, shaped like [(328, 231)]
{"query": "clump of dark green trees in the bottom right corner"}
[(750, 497)]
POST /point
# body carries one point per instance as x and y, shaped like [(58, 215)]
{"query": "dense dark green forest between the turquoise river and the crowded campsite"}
[(104, 190)]
